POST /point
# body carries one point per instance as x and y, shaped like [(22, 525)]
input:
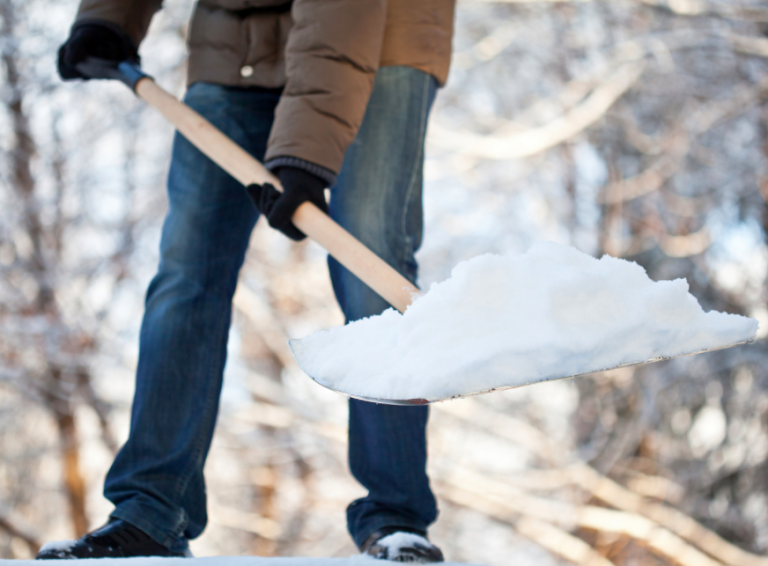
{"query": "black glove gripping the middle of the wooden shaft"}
[(298, 186)]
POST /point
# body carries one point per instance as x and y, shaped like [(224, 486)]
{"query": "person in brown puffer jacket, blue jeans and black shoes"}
[(329, 93)]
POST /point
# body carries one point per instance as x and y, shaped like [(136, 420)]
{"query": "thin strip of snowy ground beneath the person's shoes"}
[(358, 560)]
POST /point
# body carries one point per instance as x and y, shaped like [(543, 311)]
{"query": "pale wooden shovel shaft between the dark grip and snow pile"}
[(367, 266)]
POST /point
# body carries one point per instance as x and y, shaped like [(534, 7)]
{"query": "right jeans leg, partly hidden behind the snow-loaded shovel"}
[(378, 199)]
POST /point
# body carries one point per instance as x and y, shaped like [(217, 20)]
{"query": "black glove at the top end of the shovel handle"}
[(94, 40)]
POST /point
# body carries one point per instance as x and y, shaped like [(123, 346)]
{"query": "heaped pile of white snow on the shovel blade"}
[(506, 321)]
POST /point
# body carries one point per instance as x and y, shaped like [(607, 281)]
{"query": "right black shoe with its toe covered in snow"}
[(401, 545)]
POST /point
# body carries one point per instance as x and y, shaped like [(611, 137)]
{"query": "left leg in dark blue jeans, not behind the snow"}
[(156, 481)]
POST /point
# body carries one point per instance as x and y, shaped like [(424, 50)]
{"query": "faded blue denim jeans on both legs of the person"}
[(156, 481)]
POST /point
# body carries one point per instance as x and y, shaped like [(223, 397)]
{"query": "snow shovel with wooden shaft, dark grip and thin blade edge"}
[(339, 243)]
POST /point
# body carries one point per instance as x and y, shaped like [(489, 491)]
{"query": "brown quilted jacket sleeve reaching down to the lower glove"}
[(332, 56)]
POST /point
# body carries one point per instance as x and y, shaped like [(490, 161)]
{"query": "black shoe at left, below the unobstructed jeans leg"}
[(116, 539)]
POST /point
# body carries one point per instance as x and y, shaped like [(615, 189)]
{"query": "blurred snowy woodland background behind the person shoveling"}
[(635, 128)]
